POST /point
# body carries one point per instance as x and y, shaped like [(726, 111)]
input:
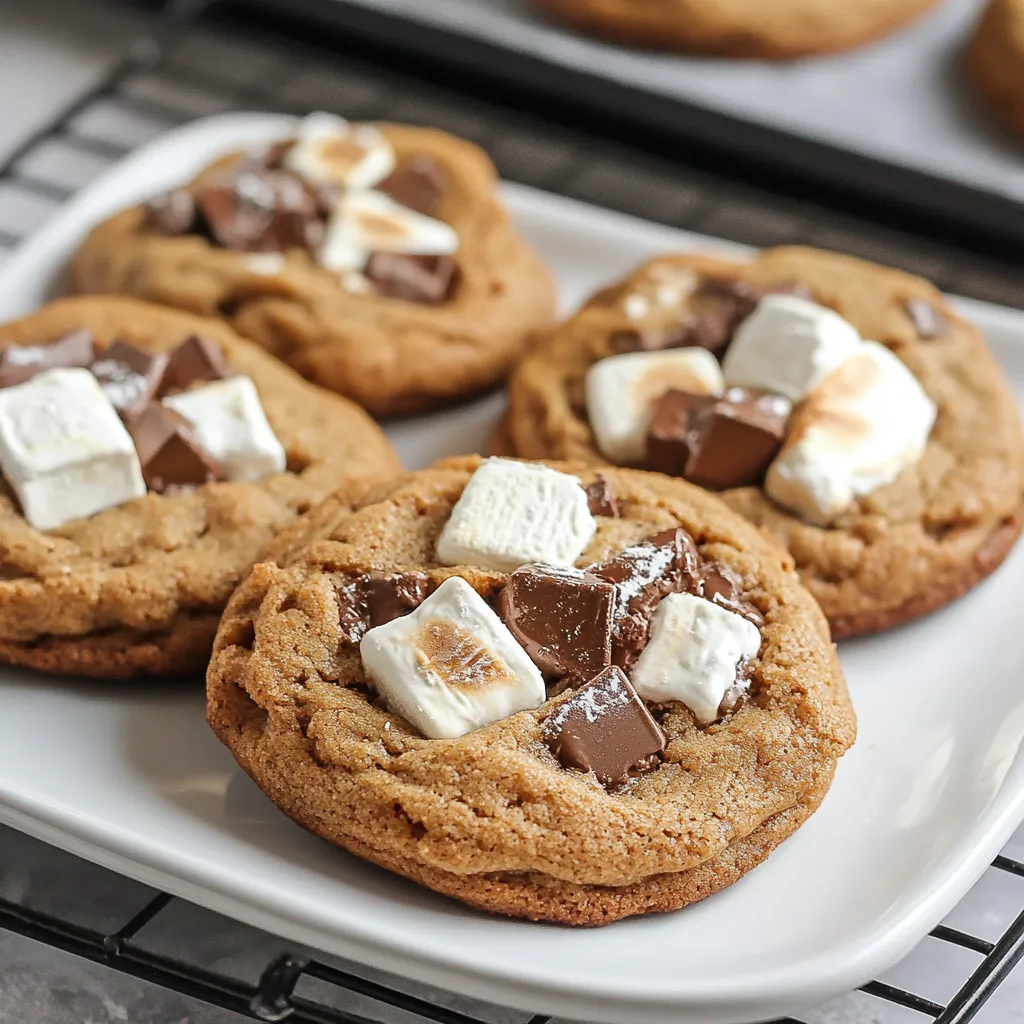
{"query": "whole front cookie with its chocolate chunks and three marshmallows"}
[(628, 715)]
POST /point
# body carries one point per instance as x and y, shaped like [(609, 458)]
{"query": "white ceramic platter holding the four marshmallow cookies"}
[(132, 778)]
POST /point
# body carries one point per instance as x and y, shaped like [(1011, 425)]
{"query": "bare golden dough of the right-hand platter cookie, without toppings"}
[(902, 551)]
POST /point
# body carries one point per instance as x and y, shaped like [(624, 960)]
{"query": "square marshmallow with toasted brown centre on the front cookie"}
[(451, 666)]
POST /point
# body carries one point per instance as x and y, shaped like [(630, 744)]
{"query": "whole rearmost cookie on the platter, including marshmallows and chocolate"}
[(377, 262)]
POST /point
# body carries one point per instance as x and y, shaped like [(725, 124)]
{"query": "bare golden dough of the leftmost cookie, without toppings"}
[(139, 589)]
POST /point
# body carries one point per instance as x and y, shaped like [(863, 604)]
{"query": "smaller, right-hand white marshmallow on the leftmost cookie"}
[(229, 423)]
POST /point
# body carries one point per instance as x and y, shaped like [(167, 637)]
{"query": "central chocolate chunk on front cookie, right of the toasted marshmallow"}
[(563, 619)]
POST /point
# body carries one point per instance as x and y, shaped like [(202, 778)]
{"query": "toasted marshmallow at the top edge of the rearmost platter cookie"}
[(330, 151)]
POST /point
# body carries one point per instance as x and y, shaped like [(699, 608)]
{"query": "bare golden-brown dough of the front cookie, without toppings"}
[(493, 818)]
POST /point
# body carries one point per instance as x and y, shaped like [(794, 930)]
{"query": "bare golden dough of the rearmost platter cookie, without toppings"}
[(391, 355)]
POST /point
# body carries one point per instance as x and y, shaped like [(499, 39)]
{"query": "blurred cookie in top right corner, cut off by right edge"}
[(996, 62)]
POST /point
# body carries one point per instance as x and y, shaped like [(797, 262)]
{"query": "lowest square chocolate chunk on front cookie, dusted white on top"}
[(607, 730)]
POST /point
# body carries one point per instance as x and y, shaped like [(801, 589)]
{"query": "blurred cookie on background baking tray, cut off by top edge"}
[(740, 28)]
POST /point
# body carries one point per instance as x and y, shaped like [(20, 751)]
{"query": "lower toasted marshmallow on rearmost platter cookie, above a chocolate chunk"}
[(370, 222)]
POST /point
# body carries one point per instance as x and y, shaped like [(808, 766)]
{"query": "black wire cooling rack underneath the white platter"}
[(192, 67)]
